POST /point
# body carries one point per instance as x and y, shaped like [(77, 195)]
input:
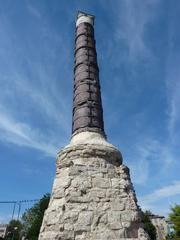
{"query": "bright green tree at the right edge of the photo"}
[(174, 217)]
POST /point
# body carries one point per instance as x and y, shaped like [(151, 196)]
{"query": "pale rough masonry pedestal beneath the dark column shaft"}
[(93, 197)]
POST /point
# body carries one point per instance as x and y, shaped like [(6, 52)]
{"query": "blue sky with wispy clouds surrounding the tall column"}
[(138, 55)]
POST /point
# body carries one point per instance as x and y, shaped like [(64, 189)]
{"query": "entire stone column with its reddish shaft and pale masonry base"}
[(92, 197)]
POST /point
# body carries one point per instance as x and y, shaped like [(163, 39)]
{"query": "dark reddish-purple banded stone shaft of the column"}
[(87, 106)]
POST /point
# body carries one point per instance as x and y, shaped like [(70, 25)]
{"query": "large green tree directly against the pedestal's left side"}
[(32, 218)]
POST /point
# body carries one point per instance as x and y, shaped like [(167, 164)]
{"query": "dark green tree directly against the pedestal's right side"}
[(148, 226)]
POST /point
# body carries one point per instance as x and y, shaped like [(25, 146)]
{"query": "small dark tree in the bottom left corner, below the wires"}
[(14, 230)]
